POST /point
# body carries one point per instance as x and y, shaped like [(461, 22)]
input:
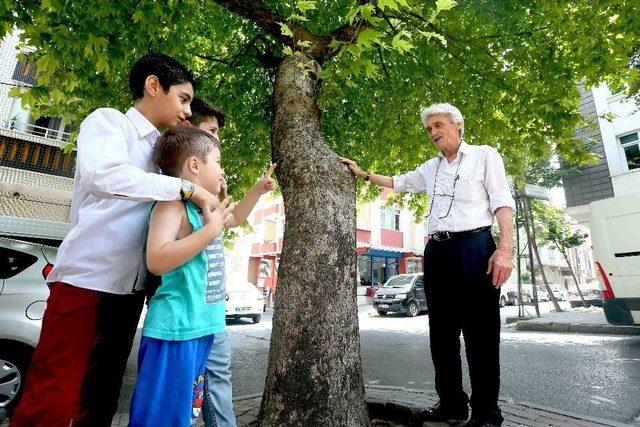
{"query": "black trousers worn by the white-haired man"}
[(461, 298)]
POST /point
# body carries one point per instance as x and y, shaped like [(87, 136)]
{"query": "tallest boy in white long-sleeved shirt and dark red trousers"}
[(94, 305)]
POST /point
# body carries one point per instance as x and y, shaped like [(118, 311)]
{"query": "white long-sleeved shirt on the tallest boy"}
[(114, 184)]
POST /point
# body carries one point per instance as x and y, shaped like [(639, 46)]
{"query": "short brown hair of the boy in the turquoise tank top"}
[(179, 143)]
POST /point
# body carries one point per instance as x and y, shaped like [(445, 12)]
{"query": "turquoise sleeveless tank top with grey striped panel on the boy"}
[(189, 302)]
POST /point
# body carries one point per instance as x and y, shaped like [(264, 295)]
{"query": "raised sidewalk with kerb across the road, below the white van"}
[(577, 320)]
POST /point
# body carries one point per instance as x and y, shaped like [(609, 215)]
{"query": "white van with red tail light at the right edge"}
[(615, 235)]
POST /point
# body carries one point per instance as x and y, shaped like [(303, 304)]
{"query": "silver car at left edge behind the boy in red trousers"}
[(23, 299)]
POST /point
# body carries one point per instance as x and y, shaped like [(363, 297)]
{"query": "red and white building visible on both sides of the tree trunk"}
[(389, 242)]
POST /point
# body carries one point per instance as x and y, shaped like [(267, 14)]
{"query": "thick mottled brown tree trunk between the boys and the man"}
[(314, 375)]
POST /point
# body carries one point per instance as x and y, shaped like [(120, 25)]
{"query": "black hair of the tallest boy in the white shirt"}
[(168, 71)]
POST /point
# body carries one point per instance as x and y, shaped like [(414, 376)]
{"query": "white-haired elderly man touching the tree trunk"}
[(467, 186)]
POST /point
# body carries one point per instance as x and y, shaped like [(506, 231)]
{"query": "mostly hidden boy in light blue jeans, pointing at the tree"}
[(218, 404)]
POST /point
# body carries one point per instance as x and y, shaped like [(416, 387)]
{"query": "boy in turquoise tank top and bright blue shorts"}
[(184, 247)]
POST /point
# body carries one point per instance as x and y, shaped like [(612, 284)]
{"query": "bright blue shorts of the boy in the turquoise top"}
[(170, 384)]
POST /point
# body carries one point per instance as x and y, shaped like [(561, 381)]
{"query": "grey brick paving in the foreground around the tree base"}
[(404, 402)]
